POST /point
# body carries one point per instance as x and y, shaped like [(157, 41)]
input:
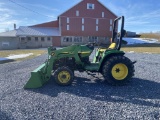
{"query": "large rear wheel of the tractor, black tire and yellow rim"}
[(118, 70)]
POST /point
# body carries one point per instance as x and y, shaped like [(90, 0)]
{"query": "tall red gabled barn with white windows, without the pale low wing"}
[(87, 21)]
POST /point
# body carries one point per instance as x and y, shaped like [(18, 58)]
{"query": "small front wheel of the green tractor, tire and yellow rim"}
[(64, 76)]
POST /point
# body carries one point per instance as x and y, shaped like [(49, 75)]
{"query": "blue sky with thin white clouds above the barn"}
[(140, 15)]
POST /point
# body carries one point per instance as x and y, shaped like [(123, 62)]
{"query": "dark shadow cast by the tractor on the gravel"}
[(138, 91)]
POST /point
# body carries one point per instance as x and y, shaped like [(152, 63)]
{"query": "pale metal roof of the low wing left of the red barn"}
[(37, 31)]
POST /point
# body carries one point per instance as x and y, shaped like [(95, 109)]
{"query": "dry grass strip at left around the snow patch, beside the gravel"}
[(6, 53)]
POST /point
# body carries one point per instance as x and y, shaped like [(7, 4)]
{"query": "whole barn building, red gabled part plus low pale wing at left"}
[(87, 21)]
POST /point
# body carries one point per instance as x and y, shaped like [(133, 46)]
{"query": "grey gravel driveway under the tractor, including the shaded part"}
[(87, 98)]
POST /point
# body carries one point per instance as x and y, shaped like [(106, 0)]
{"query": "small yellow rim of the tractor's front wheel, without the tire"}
[(64, 76)]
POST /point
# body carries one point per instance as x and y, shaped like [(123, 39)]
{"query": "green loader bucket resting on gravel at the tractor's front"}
[(38, 77)]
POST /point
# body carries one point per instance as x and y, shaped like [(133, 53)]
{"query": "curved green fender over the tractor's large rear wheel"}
[(107, 56)]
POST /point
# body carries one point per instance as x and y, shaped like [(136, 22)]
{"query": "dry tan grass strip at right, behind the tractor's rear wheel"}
[(142, 48)]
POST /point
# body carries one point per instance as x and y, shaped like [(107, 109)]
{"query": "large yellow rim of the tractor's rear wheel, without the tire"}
[(119, 71)]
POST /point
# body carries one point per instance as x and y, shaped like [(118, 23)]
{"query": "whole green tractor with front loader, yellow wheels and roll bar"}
[(109, 61)]
